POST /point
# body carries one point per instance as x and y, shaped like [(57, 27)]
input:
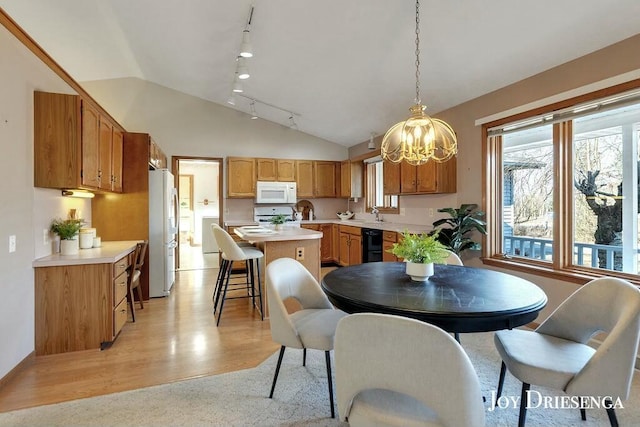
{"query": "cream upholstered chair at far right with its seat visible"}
[(556, 354)]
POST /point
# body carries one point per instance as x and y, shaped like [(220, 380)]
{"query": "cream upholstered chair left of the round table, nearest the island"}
[(313, 326)]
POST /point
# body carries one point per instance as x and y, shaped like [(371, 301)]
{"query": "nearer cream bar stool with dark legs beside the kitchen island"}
[(232, 252)]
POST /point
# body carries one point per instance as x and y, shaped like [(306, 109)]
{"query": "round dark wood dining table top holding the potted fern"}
[(456, 298)]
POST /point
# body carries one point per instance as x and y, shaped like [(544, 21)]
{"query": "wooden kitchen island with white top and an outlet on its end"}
[(290, 242)]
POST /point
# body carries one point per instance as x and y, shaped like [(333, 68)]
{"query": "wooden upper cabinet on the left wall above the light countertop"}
[(75, 146)]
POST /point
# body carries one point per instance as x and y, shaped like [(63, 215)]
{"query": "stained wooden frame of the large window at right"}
[(561, 266)]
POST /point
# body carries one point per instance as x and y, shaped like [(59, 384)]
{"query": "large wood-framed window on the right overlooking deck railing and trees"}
[(563, 187)]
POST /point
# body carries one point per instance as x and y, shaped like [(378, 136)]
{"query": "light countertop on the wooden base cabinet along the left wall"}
[(108, 253)]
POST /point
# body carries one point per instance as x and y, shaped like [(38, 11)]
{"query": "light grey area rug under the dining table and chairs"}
[(301, 399)]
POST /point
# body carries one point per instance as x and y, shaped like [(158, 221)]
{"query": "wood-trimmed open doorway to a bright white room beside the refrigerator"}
[(199, 184)]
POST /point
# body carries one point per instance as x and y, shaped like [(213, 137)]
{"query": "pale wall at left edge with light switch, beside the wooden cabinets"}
[(25, 210)]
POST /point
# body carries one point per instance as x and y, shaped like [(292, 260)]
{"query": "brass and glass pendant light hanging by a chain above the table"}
[(420, 138)]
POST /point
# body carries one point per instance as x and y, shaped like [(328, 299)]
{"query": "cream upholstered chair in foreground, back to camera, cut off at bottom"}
[(397, 371)]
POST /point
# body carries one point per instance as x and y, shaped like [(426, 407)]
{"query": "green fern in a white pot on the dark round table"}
[(420, 251)]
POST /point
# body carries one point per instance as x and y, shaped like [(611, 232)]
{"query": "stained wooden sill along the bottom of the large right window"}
[(569, 275)]
